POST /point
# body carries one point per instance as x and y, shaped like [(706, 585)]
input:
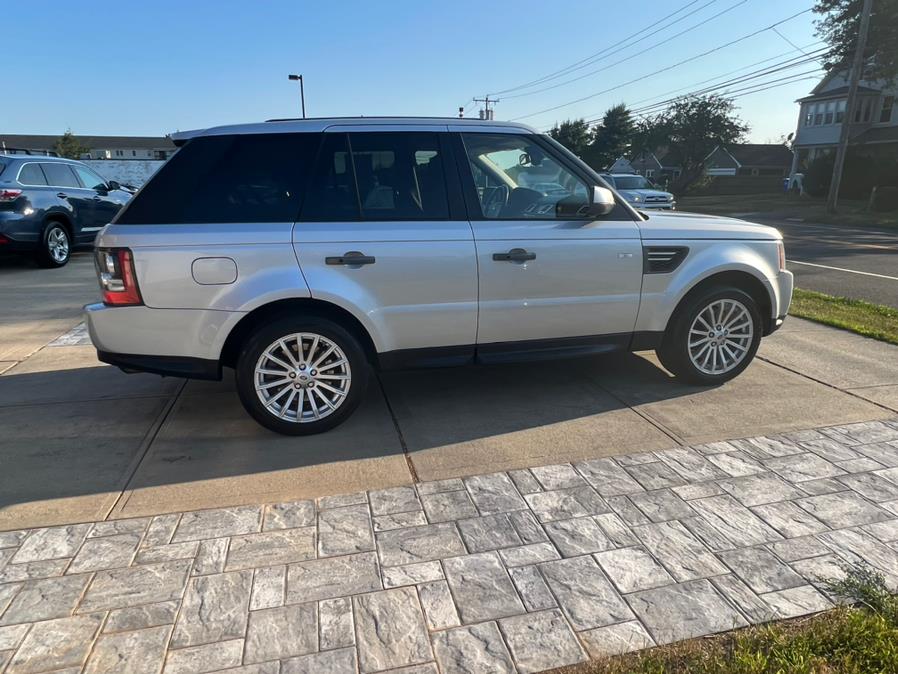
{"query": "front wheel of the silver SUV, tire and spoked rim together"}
[(718, 356)]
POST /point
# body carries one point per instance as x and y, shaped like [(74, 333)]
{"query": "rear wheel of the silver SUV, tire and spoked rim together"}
[(276, 405)]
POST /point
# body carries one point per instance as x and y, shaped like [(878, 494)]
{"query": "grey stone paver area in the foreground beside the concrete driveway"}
[(506, 572)]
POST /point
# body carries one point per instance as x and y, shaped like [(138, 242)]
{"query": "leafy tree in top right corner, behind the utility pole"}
[(839, 25)]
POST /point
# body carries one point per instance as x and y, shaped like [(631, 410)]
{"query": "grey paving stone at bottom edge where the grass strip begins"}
[(539, 641)]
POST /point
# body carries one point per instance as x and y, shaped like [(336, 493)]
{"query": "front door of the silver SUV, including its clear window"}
[(547, 274)]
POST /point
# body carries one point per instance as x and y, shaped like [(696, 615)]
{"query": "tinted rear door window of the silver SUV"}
[(399, 176)]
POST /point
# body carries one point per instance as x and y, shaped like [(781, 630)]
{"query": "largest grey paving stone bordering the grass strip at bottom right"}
[(686, 610)]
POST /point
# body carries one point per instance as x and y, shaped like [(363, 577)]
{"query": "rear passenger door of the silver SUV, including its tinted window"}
[(384, 233)]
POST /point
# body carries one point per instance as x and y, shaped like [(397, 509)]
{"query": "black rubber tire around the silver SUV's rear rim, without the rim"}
[(264, 337)]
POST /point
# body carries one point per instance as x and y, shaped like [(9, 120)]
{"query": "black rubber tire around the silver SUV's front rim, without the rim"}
[(674, 353)]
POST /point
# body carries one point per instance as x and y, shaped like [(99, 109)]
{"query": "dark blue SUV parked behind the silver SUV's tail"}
[(48, 206)]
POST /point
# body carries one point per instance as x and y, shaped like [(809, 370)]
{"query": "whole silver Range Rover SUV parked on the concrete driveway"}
[(302, 253)]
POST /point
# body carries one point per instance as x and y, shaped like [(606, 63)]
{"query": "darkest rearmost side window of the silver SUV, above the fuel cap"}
[(242, 178)]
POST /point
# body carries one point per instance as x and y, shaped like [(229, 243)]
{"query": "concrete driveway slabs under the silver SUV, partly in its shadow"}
[(82, 441)]
